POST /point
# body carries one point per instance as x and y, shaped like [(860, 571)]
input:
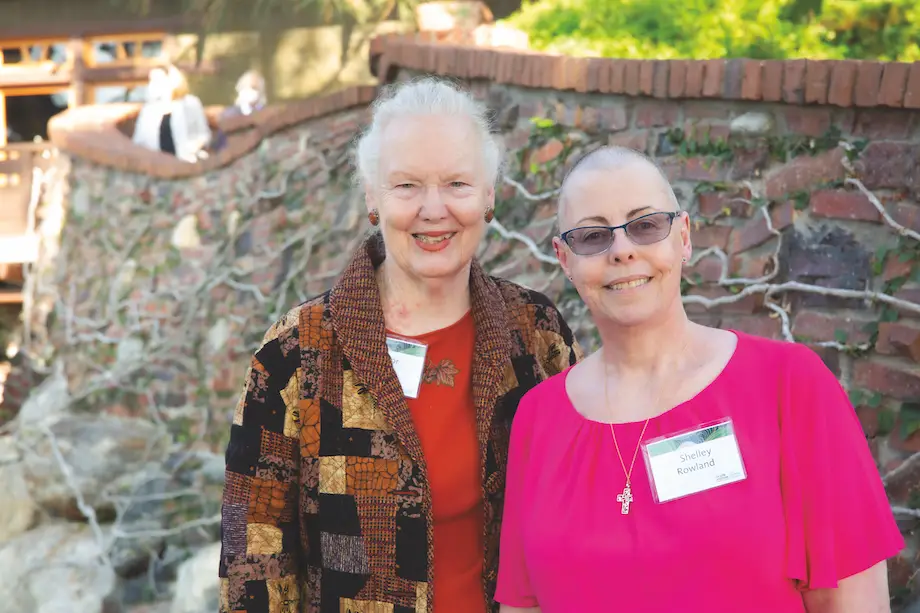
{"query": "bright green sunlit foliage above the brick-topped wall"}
[(707, 29)]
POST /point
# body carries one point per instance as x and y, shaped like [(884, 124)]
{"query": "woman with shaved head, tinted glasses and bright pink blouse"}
[(682, 467)]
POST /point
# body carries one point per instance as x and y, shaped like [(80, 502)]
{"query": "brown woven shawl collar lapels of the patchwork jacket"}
[(357, 318)]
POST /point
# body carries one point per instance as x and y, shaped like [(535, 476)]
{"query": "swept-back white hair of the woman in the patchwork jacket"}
[(418, 97)]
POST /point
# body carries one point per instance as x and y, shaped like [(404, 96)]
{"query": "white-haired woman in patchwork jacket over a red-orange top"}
[(366, 466)]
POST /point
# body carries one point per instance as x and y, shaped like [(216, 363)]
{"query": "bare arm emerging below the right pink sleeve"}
[(865, 592)]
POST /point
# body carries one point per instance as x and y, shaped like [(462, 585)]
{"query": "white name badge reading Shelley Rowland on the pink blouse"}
[(693, 461)]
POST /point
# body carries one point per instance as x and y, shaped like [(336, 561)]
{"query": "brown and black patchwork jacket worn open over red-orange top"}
[(326, 506)]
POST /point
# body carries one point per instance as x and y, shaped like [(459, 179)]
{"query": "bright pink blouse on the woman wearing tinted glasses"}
[(811, 511)]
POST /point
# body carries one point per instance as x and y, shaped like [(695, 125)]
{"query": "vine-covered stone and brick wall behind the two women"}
[(158, 278)]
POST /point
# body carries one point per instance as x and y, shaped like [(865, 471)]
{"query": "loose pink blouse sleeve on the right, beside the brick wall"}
[(838, 518)]
